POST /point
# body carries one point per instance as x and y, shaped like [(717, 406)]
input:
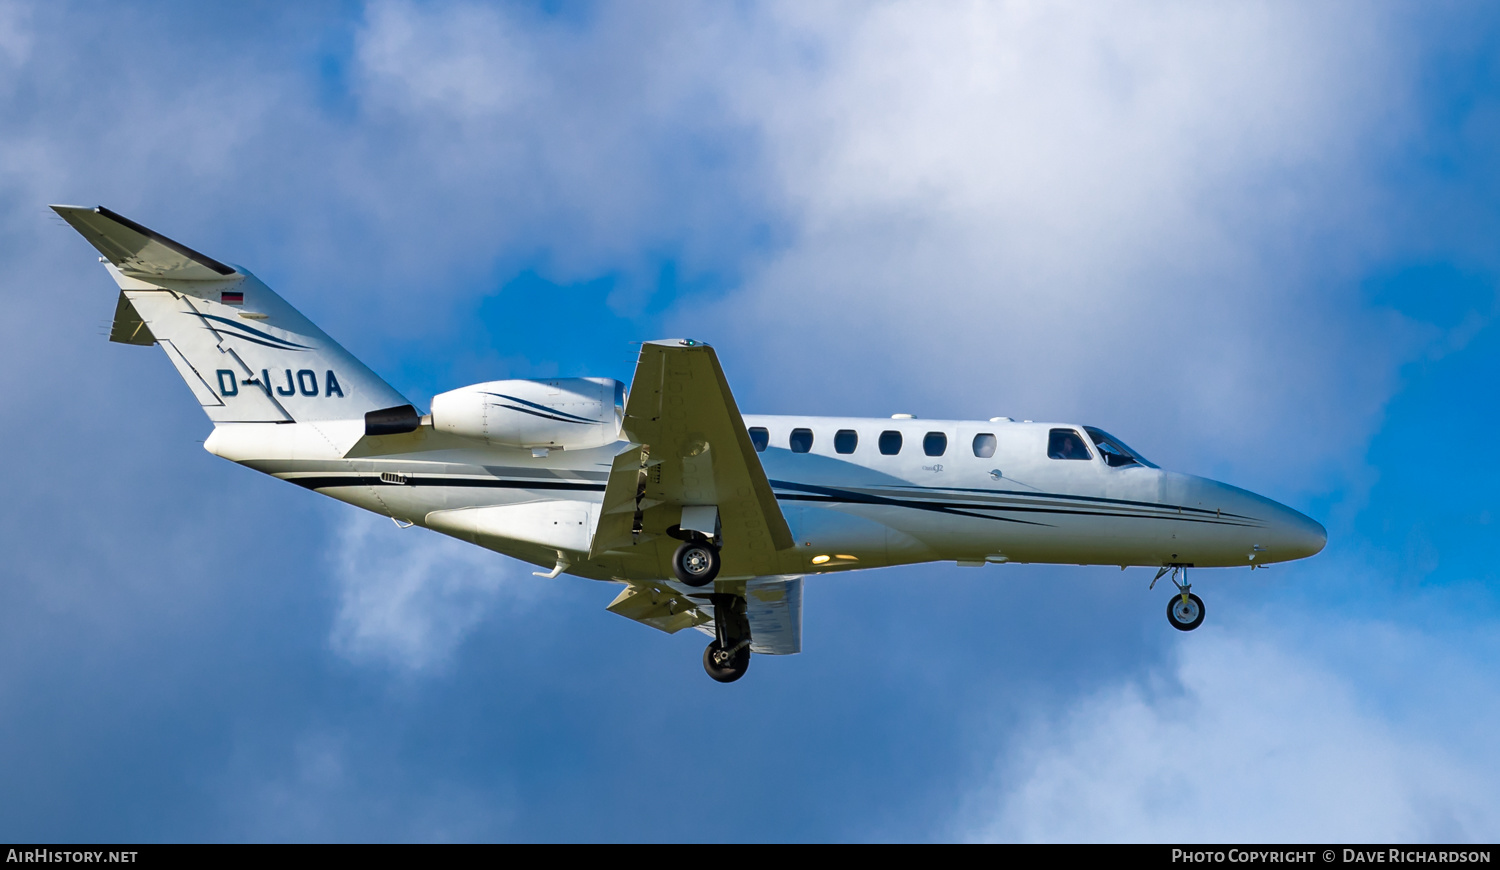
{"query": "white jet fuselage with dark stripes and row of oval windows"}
[(971, 493)]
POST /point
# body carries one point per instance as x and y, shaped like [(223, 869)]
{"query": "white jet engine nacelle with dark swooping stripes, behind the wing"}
[(560, 413)]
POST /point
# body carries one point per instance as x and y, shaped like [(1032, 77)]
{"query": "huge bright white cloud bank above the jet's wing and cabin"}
[(1151, 217)]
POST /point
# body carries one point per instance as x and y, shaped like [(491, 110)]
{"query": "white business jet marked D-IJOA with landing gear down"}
[(707, 518)]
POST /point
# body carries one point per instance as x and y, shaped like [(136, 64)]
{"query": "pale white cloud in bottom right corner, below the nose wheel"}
[(1255, 736)]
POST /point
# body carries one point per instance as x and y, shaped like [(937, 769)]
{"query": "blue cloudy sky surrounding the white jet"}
[(1255, 241)]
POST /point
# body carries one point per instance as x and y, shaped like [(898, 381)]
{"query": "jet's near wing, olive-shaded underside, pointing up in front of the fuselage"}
[(691, 457)]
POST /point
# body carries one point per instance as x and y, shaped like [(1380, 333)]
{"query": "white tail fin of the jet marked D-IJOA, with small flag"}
[(247, 355)]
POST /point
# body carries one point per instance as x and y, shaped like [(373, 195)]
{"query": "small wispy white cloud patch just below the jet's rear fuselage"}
[(409, 598)]
